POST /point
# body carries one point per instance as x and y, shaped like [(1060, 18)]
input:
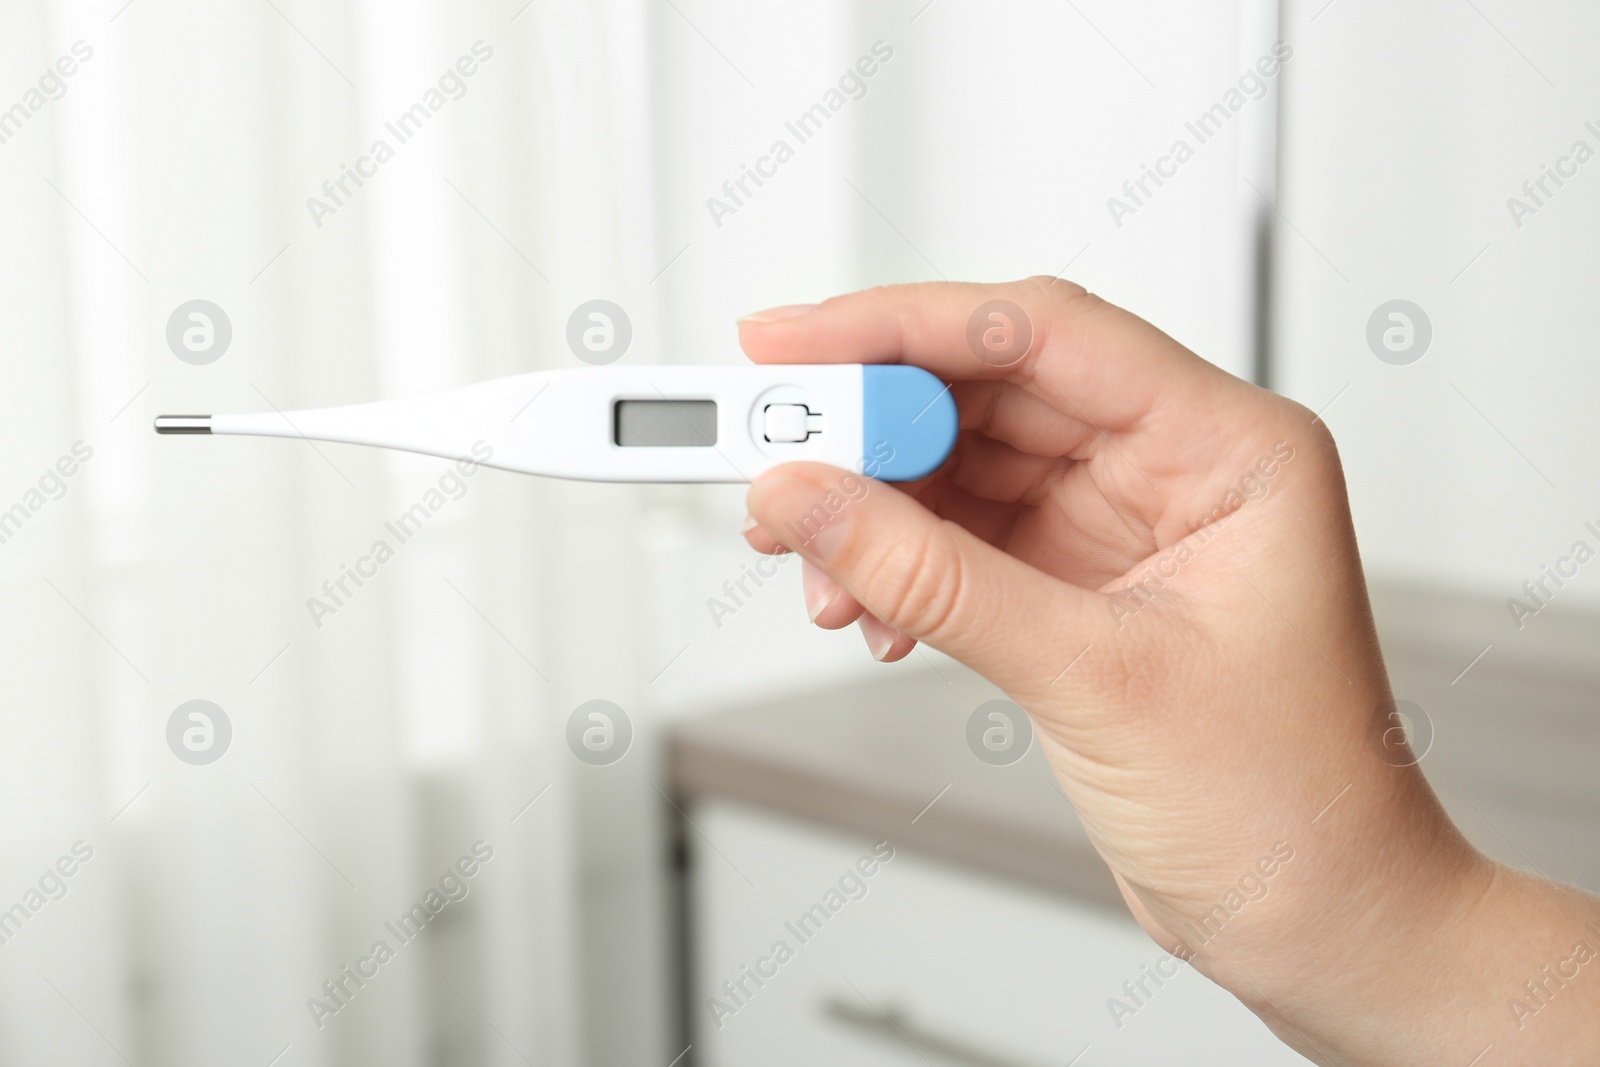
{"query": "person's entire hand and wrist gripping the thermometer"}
[(1158, 562)]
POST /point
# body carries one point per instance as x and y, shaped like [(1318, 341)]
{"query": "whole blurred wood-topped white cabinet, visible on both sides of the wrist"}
[(996, 937)]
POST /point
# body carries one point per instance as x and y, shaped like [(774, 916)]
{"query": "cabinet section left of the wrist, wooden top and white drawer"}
[(993, 938)]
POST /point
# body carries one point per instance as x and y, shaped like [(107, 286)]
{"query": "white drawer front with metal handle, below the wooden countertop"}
[(810, 949)]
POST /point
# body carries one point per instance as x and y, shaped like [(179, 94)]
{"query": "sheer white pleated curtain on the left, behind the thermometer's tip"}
[(377, 746)]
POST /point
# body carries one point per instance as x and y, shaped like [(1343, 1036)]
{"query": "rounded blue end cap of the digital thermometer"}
[(908, 423)]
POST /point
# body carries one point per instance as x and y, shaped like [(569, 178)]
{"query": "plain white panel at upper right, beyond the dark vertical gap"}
[(1406, 132)]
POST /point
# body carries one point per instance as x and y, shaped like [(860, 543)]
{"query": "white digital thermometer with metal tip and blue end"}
[(649, 423)]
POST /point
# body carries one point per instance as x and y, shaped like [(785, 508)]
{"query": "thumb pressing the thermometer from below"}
[(926, 577)]
